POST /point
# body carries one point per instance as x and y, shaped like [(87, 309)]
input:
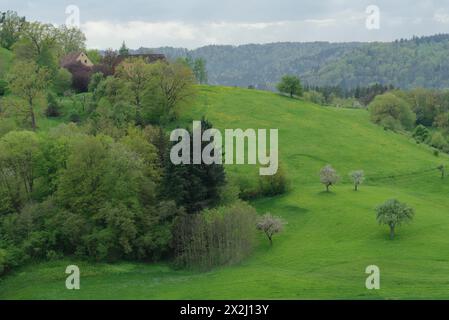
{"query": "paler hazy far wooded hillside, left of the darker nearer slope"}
[(237, 65)]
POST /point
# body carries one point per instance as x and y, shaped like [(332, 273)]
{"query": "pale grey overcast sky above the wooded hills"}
[(194, 23)]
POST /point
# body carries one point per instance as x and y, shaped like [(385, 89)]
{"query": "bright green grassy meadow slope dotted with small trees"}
[(330, 238)]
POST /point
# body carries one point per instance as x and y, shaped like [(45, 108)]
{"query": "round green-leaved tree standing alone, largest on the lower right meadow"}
[(394, 213)]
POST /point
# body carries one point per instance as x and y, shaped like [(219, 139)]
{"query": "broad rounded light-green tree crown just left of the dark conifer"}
[(98, 171)]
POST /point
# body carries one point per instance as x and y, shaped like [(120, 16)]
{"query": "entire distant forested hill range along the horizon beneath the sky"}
[(418, 62)]
